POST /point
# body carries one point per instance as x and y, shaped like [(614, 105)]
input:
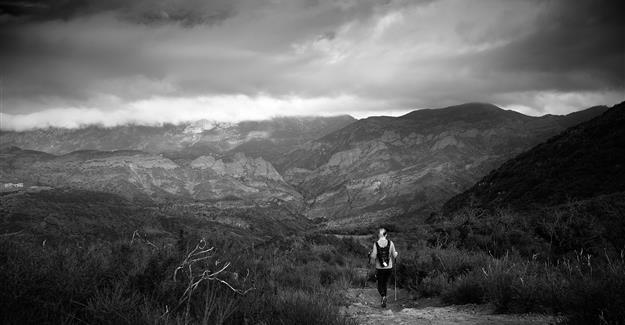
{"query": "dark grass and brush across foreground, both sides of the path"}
[(566, 264)]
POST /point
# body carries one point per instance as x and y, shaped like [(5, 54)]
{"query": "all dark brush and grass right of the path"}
[(567, 259)]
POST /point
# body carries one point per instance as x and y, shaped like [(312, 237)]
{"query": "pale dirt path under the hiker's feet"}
[(365, 309)]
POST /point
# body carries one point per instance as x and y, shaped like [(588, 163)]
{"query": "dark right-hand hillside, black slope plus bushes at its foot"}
[(565, 195)]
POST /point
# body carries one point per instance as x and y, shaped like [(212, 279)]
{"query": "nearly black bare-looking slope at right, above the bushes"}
[(581, 163)]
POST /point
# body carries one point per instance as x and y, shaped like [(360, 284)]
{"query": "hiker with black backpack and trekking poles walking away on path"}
[(383, 255)]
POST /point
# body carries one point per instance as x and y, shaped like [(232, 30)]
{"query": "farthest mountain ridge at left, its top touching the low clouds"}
[(267, 139)]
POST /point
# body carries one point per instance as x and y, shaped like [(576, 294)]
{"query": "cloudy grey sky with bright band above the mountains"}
[(74, 62)]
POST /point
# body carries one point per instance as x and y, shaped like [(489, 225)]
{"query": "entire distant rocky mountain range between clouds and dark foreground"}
[(335, 170)]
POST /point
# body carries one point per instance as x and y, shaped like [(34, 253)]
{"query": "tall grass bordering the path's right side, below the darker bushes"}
[(585, 287)]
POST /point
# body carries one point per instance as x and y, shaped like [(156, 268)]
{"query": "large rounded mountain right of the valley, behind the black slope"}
[(382, 167)]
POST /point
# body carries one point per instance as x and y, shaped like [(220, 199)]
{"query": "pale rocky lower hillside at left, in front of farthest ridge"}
[(140, 175)]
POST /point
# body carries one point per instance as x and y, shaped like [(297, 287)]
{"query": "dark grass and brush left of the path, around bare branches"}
[(133, 282)]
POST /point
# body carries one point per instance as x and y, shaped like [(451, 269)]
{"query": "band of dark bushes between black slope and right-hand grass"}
[(549, 233)]
